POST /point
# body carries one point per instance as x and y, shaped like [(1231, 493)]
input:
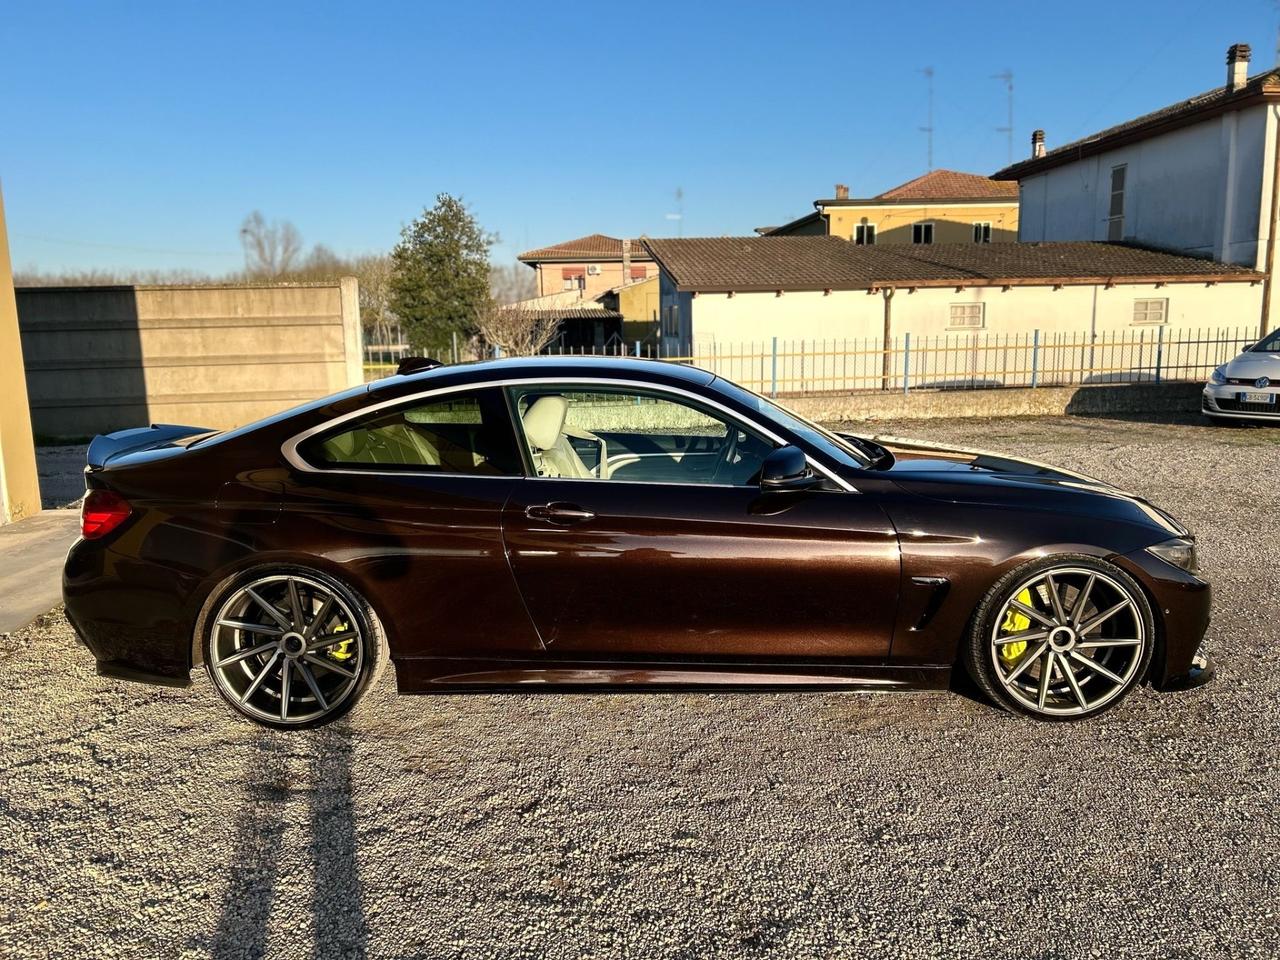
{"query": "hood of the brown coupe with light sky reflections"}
[(961, 476)]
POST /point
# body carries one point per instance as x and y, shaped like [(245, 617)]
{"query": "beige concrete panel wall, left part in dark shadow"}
[(109, 358)]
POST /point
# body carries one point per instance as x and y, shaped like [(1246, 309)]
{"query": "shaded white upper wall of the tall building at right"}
[(1197, 190)]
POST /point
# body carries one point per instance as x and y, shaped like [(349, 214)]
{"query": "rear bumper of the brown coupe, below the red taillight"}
[(132, 621)]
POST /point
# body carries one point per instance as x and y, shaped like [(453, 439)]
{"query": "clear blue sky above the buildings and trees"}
[(139, 136)]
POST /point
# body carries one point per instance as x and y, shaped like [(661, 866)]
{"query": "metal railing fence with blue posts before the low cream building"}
[(783, 367)]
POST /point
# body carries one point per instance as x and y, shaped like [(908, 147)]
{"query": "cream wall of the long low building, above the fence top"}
[(757, 318)]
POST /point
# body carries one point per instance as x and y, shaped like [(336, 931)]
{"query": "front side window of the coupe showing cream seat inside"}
[(601, 433)]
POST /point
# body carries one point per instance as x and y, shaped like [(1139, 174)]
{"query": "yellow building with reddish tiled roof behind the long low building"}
[(943, 207)]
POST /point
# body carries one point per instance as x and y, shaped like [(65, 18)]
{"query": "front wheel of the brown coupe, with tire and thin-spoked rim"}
[(1062, 639)]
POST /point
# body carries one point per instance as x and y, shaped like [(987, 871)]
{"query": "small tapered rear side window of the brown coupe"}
[(460, 433)]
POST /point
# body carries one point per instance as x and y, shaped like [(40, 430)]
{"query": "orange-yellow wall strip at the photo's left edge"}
[(20, 488)]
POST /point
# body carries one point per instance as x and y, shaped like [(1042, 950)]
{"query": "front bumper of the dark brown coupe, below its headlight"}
[(1183, 605)]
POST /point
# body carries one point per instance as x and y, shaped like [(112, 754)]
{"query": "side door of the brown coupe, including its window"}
[(637, 547)]
